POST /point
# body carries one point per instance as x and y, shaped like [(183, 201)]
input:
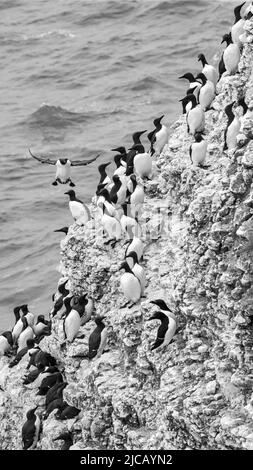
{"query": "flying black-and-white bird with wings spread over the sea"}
[(63, 167)]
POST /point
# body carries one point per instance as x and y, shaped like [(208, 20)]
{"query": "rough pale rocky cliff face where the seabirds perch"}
[(197, 392)]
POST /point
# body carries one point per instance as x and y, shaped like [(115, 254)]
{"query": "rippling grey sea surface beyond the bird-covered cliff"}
[(78, 78)]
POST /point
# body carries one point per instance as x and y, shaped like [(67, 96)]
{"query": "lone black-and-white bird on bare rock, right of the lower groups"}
[(165, 331)]
